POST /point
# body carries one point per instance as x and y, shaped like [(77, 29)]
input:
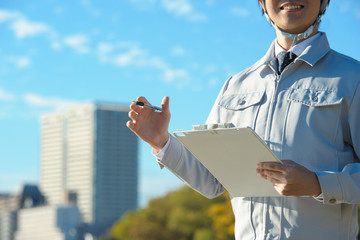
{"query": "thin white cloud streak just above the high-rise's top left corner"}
[(48, 102)]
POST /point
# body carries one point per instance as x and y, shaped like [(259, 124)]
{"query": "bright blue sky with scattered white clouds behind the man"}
[(55, 53)]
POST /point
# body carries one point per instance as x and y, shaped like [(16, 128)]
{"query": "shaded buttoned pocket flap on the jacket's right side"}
[(315, 98)]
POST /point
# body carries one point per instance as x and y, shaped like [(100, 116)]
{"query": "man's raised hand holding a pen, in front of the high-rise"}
[(149, 125)]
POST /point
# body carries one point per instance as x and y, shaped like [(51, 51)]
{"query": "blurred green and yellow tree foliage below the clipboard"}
[(180, 215)]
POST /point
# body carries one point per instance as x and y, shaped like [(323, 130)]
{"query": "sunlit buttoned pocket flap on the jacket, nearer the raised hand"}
[(241, 101)]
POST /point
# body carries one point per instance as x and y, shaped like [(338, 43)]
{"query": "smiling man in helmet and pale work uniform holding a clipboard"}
[(302, 98)]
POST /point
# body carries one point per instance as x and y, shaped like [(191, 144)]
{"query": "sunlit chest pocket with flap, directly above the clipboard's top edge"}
[(241, 109)]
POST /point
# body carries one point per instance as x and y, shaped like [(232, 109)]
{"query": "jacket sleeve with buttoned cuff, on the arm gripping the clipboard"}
[(344, 186)]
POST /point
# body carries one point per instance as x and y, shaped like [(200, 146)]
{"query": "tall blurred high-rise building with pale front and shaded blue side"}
[(90, 158)]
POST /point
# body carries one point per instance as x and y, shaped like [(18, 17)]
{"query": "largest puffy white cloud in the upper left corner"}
[(24, 28)]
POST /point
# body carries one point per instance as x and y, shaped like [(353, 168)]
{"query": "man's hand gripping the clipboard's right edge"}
[(290, 178)]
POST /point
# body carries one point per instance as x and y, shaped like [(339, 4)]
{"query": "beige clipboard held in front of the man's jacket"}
[(231, 155)]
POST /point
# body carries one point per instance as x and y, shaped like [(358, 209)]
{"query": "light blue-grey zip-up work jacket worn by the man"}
[(309, 114)]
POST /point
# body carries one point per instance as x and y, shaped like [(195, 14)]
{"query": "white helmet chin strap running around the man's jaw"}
[(308, 32)]
